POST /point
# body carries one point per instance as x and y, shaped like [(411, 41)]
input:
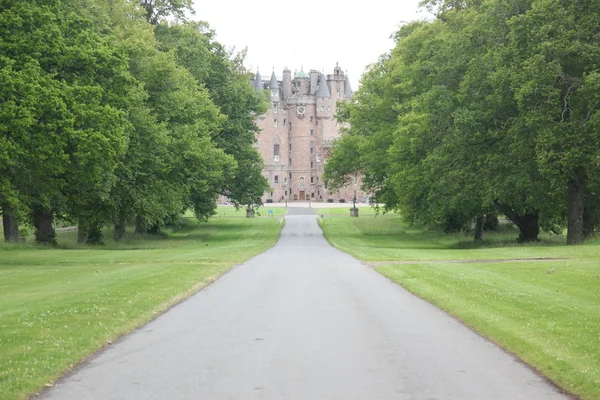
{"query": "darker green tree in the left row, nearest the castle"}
[(222, 73)]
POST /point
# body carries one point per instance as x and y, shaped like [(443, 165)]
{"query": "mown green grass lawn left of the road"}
[(58, 306)]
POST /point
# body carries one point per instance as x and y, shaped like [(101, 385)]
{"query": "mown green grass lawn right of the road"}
[(547, 312)]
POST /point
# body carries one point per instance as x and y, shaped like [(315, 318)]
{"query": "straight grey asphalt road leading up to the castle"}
[(303, 321)]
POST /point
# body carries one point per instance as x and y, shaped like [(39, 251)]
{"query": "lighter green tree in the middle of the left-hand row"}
[(171, 162)]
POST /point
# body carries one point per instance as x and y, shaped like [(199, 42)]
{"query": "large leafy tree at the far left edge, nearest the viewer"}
[(66, 150)]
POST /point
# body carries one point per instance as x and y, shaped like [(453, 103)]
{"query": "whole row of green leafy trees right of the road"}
[(491, 108)]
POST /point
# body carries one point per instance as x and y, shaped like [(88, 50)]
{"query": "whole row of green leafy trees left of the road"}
[(117, 113)]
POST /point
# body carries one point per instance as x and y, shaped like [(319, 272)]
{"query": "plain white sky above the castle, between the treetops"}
[(312, 35)]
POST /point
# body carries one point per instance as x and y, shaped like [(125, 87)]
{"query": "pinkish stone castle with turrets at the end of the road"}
[(297, 132)]
